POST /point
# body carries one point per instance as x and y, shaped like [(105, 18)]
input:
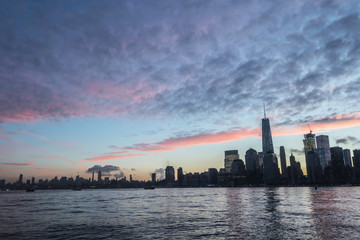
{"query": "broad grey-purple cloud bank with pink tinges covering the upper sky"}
[(179, 58)]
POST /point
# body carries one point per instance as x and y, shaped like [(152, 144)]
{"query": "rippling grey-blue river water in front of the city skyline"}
[(194, 213)]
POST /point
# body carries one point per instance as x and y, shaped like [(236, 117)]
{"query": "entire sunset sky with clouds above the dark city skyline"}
[(133, 86)]
